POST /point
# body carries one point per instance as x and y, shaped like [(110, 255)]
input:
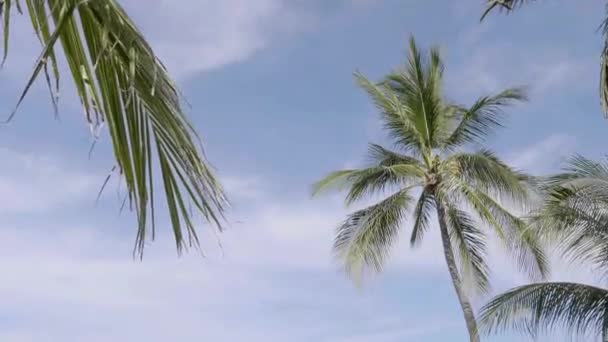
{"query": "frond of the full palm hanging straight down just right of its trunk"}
[(470, 247)]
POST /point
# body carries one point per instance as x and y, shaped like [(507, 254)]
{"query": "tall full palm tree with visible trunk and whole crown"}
[(430, 135)]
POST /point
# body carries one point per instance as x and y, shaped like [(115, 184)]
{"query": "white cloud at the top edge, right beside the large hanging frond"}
[(200, 35)]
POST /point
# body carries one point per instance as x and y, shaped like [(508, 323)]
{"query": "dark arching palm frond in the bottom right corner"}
[(540, 308)]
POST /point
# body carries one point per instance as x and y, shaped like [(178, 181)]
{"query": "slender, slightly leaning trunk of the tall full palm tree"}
[(467, 309)]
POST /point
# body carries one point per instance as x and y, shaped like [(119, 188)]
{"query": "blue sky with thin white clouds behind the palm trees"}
[(271, 88)]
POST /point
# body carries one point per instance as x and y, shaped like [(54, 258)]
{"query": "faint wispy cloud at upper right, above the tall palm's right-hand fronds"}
[(490, 67)]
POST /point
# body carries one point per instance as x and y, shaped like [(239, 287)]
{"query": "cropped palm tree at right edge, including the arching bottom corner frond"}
[(575, 215)]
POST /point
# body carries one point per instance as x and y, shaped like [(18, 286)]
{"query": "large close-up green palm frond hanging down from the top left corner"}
[(122, 85)]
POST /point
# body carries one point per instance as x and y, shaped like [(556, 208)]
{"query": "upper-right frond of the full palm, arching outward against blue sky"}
[(475, 124)]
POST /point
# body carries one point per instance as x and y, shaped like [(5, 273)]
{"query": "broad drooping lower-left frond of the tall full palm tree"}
[(363, 241)]
